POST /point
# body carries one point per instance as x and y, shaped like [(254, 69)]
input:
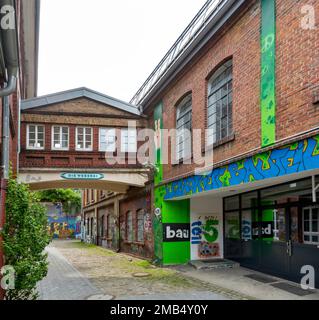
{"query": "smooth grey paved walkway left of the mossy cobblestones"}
[(63, 281)]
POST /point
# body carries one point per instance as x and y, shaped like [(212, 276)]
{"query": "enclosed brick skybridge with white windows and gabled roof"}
[(68, 137)]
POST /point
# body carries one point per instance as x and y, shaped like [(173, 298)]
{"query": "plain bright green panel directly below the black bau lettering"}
[(176, 253)]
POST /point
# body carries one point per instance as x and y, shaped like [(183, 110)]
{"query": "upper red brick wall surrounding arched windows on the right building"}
[(297, 81)]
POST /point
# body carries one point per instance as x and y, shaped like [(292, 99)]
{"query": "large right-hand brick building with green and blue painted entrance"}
[(247, 73)]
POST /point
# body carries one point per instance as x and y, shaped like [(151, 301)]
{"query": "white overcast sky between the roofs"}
[(107, 45)]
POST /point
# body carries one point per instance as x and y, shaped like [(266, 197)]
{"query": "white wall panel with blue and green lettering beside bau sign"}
[(206, 236)]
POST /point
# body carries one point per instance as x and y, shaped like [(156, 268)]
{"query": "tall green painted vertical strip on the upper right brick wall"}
[(268, 72)]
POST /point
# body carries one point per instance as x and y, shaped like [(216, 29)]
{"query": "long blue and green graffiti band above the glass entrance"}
[(293, 158)]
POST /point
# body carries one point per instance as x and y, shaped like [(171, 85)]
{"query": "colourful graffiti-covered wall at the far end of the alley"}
[(60, 225)]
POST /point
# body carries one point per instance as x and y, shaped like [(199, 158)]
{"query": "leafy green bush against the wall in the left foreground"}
[(25, 237)]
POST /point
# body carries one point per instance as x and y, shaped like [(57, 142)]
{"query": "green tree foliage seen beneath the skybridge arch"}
[(70, 199)]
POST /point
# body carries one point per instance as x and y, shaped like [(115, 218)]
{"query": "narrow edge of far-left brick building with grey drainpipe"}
[(18, 80)]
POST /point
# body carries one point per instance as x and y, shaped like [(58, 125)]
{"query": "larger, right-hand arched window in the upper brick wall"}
[(220, 102)]
